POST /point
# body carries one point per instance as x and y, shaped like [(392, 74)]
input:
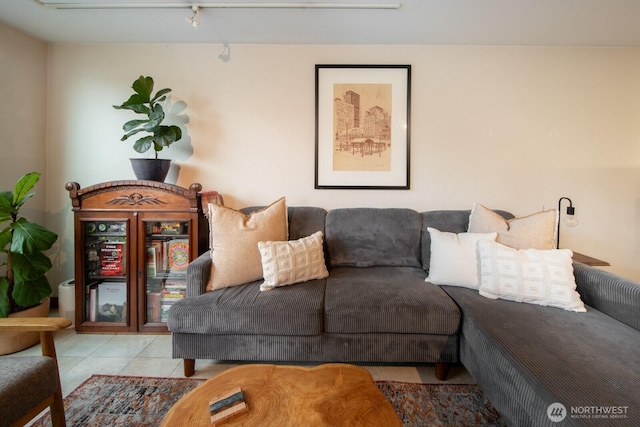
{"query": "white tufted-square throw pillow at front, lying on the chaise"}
[(543, 277)]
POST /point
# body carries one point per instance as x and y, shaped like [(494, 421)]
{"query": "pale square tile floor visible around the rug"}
[(82, 355)]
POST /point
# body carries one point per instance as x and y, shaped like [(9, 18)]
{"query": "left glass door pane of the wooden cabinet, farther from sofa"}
[(105, 264)]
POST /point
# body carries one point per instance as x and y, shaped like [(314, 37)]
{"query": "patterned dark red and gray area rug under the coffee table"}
[(105, 400)]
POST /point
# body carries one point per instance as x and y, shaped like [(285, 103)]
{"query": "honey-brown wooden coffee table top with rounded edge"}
[(326, 395)]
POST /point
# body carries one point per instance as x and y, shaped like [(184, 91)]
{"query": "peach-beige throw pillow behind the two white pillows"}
[(536, 231)]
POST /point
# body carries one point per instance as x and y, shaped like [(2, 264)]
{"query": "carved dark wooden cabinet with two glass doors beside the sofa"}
[(133, 242)]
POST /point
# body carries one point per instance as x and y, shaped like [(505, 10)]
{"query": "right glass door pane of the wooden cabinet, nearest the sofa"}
[(167, 249)]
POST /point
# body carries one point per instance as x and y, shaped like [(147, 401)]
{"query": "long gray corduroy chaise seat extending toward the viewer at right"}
[(548, 355)]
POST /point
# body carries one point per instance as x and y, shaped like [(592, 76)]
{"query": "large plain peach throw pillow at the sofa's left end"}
[(234, 239)]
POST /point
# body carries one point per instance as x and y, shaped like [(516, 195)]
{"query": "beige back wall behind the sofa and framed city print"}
[(510, 127)]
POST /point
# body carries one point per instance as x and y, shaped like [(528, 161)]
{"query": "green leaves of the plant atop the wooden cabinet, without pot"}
[(143, 102)]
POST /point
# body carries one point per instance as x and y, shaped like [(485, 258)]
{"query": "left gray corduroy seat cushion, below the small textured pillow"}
[(289, 310)]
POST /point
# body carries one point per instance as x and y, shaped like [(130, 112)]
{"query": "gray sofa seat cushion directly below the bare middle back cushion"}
[(387, 300)]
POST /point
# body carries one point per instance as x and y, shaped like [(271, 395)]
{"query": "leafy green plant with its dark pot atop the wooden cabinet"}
[(158, 135)]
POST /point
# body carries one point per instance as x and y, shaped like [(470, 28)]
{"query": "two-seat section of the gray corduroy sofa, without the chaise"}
[(374, 307)]
